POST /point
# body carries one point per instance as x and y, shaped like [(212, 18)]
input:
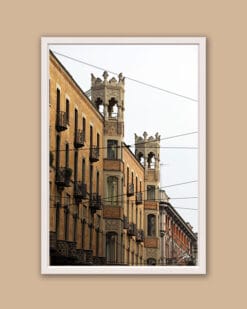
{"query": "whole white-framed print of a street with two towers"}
[(123, 155)]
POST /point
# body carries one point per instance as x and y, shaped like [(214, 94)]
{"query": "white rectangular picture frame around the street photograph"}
[(118, 270)]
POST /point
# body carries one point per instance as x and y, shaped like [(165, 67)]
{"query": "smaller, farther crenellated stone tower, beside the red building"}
[(147, 152)]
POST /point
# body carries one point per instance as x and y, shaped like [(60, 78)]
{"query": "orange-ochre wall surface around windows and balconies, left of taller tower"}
[(77, 100)]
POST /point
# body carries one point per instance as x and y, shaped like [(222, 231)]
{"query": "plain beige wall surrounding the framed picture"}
[(23, 22)]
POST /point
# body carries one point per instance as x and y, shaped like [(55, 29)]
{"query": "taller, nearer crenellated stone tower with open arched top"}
[(108, 97)]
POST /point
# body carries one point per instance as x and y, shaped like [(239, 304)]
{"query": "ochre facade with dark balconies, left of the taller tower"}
[(76, 173)]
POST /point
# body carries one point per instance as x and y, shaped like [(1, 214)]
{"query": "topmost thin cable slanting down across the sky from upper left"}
[(129, 78)]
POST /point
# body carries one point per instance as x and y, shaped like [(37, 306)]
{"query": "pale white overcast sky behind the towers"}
[(170, 67)]
